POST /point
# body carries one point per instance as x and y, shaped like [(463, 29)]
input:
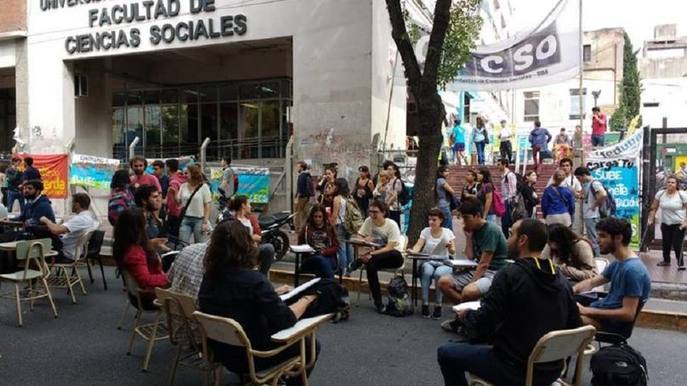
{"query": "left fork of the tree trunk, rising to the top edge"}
[(400, 35)]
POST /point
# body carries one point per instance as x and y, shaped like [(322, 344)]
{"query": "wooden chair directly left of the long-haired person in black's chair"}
[(185, 334)]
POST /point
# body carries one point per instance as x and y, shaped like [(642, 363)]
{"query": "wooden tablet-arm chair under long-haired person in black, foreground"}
[(228, 331)]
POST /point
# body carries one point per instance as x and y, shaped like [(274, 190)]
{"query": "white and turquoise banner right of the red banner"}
[(92, 172)]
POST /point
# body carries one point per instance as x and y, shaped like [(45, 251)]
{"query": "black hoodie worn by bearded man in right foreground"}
[(525, 302)]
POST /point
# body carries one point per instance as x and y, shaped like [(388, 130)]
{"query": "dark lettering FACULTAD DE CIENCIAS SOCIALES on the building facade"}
[(152, 10)]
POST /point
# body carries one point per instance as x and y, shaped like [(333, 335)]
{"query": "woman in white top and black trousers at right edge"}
[(673, 203)]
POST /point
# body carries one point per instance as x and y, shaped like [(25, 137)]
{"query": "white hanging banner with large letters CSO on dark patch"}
[(548, 54)]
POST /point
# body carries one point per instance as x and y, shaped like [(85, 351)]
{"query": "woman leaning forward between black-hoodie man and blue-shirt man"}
[(572, 254)]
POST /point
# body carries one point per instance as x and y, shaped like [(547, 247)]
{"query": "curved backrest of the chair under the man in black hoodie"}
[(559, 345)]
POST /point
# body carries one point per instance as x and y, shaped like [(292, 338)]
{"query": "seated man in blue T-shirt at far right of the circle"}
[(629, 278)]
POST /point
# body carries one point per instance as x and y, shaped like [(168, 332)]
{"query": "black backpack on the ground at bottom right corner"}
[(619, 365)]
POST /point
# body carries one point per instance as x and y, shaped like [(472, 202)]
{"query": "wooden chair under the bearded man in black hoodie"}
[(556, 346)]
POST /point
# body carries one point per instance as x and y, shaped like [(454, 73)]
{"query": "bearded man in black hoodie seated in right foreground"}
[(527, 300)]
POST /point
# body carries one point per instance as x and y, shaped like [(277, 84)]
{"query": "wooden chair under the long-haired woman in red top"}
[(149, 332)]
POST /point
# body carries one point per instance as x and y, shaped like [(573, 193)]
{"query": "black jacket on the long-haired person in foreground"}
[(249, 298)]
